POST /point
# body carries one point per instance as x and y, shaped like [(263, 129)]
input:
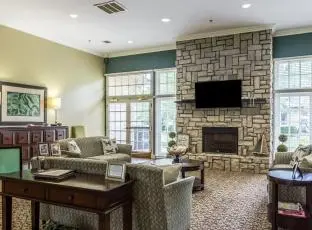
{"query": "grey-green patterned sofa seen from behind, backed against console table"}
[(156, 205)]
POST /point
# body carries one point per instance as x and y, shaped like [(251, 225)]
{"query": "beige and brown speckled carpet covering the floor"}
[(230, 201)]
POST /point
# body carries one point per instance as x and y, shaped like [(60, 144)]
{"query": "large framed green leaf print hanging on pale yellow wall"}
[(23, 104)]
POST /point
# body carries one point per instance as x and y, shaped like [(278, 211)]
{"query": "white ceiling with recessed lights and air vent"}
[(142, 23)]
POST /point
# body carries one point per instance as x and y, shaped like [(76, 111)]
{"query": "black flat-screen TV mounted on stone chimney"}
[(218, 94)]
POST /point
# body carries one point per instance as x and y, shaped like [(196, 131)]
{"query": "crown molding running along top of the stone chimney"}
[(225, 32)]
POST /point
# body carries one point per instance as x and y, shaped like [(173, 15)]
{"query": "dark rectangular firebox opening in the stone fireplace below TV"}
[(220, 140)]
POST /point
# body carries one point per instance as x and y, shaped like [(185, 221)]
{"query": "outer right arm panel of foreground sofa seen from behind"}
[(178, 203)]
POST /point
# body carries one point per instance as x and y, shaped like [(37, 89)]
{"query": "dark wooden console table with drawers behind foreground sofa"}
[(87, 192)]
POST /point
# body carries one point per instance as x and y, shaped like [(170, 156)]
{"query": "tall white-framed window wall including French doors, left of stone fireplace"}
[(131, 98)]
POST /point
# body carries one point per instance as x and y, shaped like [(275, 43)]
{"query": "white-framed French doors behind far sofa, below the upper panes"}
[(130, 123)]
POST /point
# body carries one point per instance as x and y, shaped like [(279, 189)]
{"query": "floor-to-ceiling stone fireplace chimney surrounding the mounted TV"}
[(246, 57)]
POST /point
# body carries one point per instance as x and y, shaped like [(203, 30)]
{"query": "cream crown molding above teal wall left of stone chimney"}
[(141, 51)]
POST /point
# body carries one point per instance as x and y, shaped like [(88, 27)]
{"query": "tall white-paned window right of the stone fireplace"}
[(293, 97)]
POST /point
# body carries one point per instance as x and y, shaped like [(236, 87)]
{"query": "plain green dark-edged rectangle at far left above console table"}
[(10, 159)]
